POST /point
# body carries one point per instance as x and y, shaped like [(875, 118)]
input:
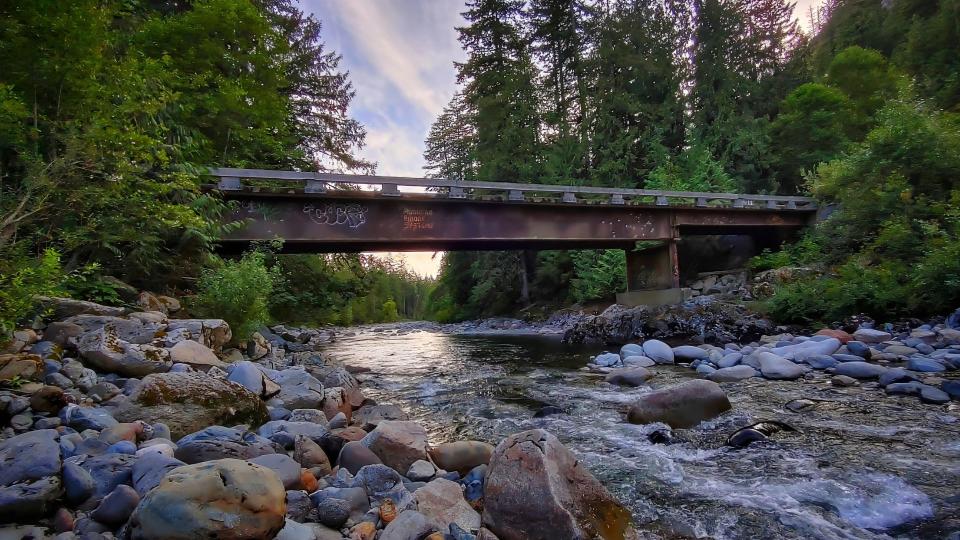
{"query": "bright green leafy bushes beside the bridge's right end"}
[(890, 248)]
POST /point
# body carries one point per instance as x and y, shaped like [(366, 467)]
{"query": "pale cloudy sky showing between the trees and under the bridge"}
[(400, 55)]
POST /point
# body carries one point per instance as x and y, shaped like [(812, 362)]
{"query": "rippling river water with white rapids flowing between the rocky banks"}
[(860, 465)]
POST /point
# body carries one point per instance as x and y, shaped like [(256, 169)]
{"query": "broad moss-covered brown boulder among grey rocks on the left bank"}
[(189, 402)]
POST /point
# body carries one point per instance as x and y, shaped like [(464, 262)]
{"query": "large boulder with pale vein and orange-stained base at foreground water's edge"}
[(537, 490)]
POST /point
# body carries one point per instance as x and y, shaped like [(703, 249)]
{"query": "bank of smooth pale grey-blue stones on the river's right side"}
[(920, 362)]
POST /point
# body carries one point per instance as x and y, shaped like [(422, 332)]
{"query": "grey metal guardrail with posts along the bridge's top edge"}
[(230, 179)]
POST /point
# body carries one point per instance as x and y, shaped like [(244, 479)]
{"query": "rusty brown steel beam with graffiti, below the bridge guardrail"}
[(352, 221)]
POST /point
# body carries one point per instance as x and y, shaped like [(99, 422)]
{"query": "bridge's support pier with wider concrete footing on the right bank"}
[(653, 276)]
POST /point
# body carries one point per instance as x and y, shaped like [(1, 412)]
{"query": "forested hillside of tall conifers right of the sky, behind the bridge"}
[(717, 95)]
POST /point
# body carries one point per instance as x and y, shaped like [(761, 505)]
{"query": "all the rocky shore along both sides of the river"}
[(137, 424)]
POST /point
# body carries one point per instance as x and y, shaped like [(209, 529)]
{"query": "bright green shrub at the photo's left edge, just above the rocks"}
[(21, 280)]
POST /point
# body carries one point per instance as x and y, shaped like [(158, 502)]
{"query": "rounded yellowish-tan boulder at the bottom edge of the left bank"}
[(227, 499)]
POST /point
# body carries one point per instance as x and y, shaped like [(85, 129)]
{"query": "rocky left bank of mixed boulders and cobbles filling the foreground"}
[(137, 424)]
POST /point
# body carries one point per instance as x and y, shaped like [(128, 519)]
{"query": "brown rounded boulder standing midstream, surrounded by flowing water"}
[(680, 406)]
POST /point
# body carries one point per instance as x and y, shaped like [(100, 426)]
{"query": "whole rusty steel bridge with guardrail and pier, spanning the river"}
[(328, 212)]
